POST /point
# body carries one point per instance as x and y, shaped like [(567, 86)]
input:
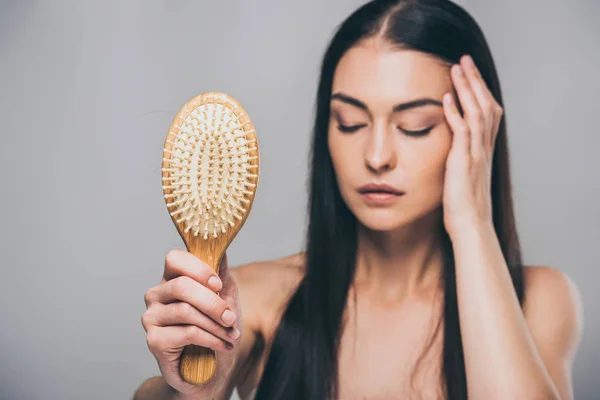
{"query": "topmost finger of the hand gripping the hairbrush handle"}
[(183, 263)]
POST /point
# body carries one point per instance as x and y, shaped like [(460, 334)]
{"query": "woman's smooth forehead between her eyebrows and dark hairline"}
[(381, 75)]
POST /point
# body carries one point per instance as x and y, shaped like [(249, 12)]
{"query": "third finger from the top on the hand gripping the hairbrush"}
[(181, 313)]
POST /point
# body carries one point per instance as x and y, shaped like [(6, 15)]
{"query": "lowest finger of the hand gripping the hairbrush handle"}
[(162, 339)]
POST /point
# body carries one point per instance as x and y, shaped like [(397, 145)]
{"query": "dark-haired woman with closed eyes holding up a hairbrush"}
[(411, 285)]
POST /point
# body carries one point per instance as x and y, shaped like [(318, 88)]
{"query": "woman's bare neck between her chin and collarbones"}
[(395, 265)]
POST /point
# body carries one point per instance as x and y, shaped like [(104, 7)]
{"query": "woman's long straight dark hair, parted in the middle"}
[(303, 359)]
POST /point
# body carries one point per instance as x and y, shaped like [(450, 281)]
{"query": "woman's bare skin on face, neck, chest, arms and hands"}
[(509, 353)]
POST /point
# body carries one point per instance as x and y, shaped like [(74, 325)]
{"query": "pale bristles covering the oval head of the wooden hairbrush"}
[(210, 168)]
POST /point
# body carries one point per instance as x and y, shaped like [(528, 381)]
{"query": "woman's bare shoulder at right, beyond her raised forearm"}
[(553, 310)]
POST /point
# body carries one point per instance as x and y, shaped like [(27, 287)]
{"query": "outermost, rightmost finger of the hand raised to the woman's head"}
[(484, 97)]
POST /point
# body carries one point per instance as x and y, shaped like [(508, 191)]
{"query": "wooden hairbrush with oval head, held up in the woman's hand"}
[(210, 175)]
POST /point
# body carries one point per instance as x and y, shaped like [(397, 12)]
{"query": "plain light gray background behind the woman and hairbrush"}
[(87, 93)]
